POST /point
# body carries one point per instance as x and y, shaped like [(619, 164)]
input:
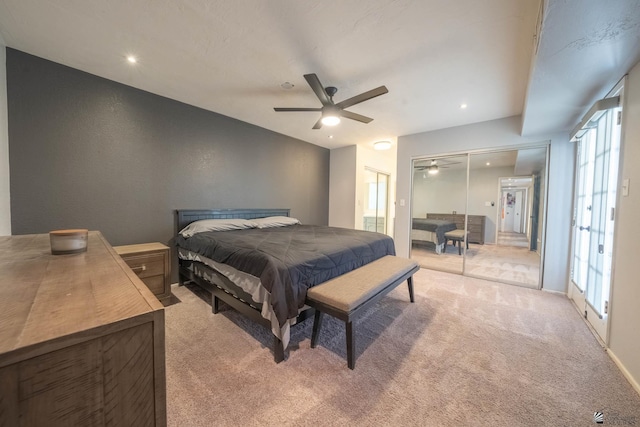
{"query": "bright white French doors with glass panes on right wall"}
[(598, 154)]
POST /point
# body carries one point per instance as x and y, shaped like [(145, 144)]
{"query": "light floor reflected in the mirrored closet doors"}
[(509, 264)]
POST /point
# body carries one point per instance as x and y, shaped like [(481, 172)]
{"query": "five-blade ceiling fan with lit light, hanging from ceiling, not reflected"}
[(331, 112)]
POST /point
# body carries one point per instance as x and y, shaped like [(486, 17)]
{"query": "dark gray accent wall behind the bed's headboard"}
[(87, 152)]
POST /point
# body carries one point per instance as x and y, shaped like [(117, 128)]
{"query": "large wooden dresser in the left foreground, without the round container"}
[(81, 338)]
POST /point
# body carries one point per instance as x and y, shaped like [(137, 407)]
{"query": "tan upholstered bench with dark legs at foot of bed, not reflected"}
[(348, 296)]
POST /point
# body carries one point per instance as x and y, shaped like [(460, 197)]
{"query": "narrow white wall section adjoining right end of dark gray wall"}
[(342, 187)]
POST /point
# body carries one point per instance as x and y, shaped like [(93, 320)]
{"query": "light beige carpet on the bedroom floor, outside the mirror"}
[(467, 352)]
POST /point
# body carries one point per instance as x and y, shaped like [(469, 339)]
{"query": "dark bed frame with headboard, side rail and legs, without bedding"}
[(221, 288)]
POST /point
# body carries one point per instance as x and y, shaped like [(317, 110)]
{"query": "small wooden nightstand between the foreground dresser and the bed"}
[(150, 261)]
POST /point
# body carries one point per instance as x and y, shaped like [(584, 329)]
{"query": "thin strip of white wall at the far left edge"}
[(5, 201)]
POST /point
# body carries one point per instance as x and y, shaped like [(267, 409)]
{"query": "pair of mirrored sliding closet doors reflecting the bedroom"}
[(496, 202)]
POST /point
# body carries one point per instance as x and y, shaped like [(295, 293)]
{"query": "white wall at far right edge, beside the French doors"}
[(624, 332)]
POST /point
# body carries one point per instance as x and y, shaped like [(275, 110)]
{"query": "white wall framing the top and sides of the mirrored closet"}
[(501, 133)]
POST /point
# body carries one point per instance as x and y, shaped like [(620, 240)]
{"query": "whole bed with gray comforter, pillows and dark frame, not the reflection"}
[(265, 272)]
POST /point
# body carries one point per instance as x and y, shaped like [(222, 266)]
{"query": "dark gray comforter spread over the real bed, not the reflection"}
[(289, 260)]
